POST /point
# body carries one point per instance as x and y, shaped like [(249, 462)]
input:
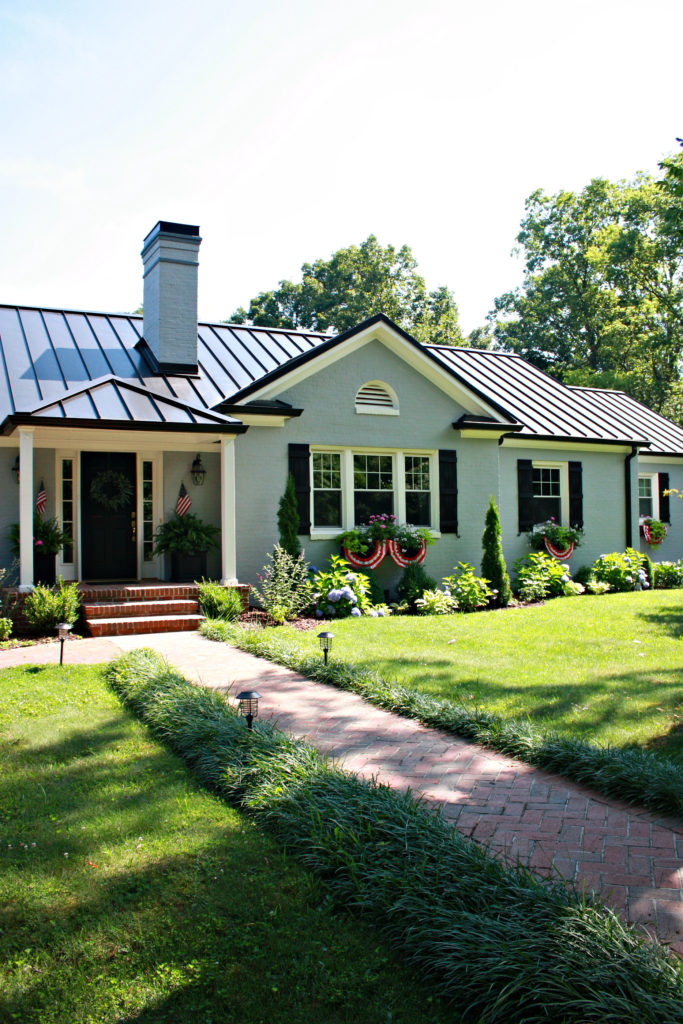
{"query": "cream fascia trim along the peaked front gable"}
[(385, 334)]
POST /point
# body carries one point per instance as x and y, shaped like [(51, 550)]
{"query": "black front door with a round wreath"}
[(109, 503)]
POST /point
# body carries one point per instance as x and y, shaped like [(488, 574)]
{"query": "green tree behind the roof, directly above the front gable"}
[(355, 284)]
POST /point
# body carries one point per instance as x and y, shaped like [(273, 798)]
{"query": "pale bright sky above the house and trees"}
[(289, 131)]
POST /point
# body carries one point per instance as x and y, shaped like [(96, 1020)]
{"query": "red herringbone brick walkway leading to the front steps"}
[(633, 859)]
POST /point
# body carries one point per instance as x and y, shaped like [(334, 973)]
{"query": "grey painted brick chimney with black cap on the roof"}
[(169, 323)]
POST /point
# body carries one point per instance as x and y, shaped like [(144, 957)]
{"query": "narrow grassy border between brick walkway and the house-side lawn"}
[(632, 776)]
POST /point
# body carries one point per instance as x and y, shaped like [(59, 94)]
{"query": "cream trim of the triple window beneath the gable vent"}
[(399, 467)]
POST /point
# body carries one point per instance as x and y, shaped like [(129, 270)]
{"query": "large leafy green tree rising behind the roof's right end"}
[(603, 297)]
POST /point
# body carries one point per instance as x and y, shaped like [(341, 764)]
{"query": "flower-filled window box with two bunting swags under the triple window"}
[(370, 543)]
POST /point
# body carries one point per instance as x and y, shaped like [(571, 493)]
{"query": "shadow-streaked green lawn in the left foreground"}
[(127, 894)]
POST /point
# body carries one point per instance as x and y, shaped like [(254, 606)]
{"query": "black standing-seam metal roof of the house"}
[(96, 368)]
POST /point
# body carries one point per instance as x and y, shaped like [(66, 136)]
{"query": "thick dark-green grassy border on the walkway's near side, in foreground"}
[(508, 947)]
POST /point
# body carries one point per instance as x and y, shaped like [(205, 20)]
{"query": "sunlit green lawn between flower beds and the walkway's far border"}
[(608, 668)]
